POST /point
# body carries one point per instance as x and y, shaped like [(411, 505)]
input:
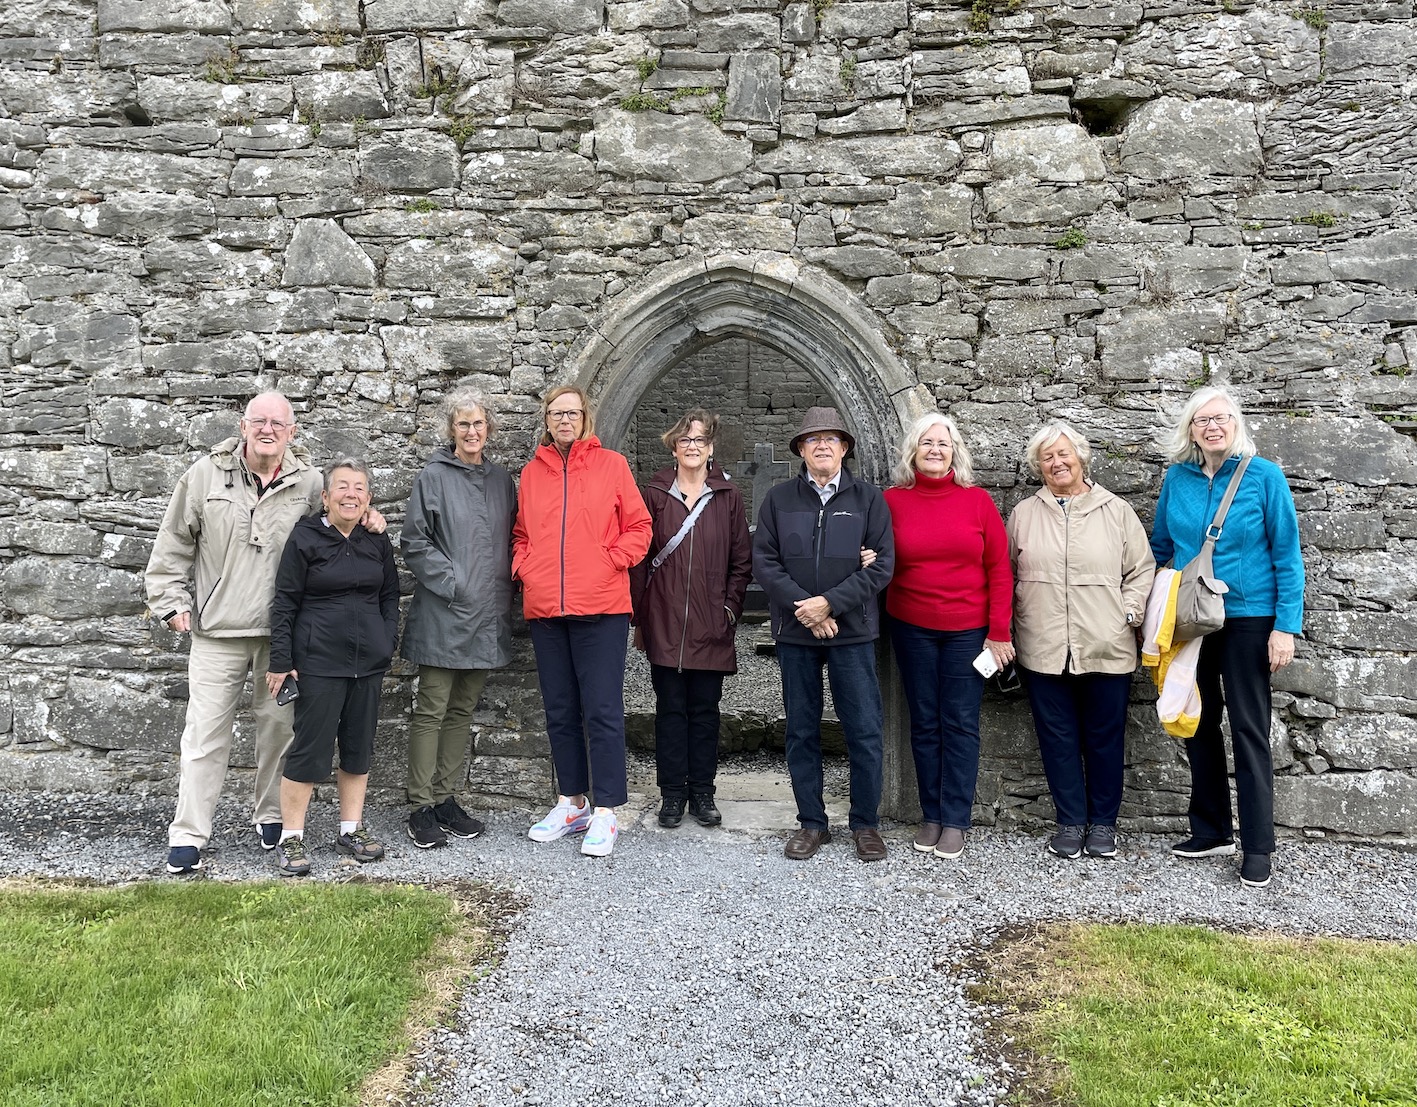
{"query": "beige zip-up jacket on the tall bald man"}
[(219, 548)]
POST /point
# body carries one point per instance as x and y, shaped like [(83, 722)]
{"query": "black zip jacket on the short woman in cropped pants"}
[(337, 603)]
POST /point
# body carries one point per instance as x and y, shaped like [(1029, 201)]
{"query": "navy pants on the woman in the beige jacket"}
[(1082, 726)]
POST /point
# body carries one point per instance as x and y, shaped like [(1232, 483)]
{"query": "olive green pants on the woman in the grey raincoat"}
[(440, 731)]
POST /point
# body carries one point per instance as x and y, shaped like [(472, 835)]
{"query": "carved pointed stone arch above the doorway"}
[(766, 298)]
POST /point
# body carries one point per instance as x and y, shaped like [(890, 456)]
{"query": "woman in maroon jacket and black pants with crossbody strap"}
[(688, 597)]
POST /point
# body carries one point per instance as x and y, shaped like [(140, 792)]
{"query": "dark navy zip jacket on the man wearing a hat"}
[(804, 549)]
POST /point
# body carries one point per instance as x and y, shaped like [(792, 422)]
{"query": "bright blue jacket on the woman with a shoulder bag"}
[(1259, 551)]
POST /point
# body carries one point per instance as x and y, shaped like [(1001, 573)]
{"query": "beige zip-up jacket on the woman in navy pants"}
[(1079, 573)]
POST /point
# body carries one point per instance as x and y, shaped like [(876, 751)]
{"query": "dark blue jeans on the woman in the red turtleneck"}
[(943, 691)]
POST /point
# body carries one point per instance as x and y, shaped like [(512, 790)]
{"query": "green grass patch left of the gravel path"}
[(205, 994)]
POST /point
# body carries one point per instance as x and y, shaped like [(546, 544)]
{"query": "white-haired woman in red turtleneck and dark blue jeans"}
[(952, 597)]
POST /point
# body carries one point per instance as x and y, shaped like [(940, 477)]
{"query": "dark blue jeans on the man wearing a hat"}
[(858, 698)]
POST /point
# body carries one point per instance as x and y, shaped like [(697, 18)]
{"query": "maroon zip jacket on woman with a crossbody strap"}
[(684, 607)]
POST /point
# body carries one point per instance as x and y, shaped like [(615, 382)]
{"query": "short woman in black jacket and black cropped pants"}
[(334, 627)]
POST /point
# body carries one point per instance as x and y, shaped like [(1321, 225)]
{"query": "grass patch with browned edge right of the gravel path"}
[(1184, 1017)]
